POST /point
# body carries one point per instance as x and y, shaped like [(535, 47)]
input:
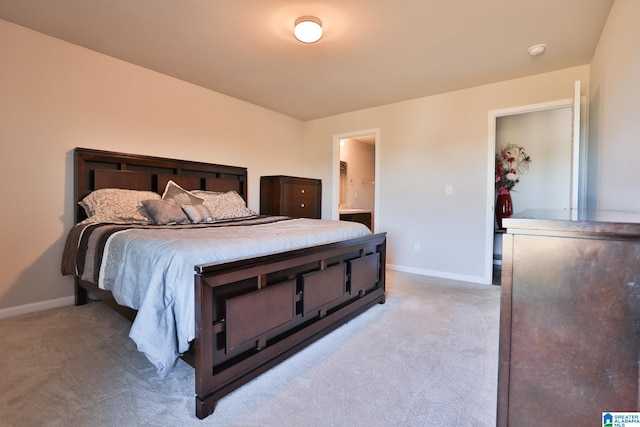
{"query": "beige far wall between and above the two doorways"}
[(426, 144)]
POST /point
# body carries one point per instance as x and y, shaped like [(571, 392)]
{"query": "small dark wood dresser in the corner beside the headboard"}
[(290, 196)]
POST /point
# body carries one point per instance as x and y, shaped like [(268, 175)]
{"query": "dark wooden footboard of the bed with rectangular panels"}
[(252, 314)]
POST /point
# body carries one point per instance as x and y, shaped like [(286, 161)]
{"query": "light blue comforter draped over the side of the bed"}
[(152, 271)]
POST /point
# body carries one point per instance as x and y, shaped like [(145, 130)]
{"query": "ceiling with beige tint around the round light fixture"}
[(373, 52)]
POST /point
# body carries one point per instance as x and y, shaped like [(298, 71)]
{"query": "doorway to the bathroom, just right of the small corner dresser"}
[(356, 166)]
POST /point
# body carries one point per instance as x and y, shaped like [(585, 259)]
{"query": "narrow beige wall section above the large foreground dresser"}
[(614, 114)]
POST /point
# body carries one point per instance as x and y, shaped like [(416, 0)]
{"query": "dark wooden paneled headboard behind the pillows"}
[(95, 169)]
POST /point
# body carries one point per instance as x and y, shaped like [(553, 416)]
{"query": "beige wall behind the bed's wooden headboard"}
[(55, 96)]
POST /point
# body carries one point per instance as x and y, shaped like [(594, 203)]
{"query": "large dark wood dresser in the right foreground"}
[(569, 317)]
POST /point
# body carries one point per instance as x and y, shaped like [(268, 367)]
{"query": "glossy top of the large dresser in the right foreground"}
[(571, 220)]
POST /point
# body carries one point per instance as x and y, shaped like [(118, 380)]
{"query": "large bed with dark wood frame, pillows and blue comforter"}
[(238, 312)]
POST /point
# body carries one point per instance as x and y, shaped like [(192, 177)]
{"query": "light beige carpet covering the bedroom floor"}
[(428, 357)]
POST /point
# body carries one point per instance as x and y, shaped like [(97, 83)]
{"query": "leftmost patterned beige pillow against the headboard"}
[(117, 205)]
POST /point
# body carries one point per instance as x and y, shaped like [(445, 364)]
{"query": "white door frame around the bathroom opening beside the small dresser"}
[(335, 190)]
